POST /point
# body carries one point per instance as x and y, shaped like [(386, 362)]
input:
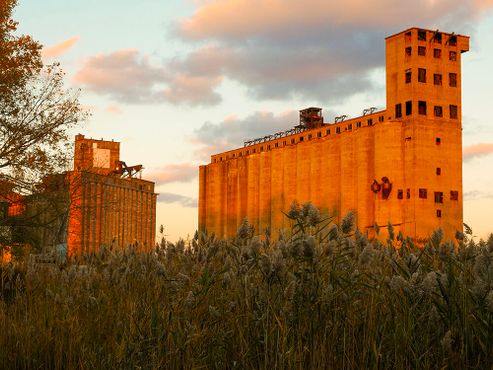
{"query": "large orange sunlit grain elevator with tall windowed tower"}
[(402, 165)]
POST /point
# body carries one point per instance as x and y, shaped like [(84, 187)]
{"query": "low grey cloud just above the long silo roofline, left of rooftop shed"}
[(212, 138)]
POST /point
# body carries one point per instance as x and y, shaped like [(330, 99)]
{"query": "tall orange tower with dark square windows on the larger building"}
[(424, 92)]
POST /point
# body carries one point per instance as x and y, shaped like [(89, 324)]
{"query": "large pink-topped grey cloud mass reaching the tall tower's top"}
[(311, 49)]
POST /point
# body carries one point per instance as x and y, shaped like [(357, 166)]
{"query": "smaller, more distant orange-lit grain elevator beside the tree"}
[(105, 208)]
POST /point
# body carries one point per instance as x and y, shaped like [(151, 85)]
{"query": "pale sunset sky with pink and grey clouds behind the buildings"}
[(178, 80)]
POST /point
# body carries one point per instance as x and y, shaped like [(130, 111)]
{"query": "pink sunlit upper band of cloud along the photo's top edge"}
[(220, 18)]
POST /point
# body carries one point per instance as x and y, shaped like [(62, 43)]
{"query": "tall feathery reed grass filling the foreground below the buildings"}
[(325, 297)]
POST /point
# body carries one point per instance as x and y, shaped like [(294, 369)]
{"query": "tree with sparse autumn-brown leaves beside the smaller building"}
[(36, 115)]
